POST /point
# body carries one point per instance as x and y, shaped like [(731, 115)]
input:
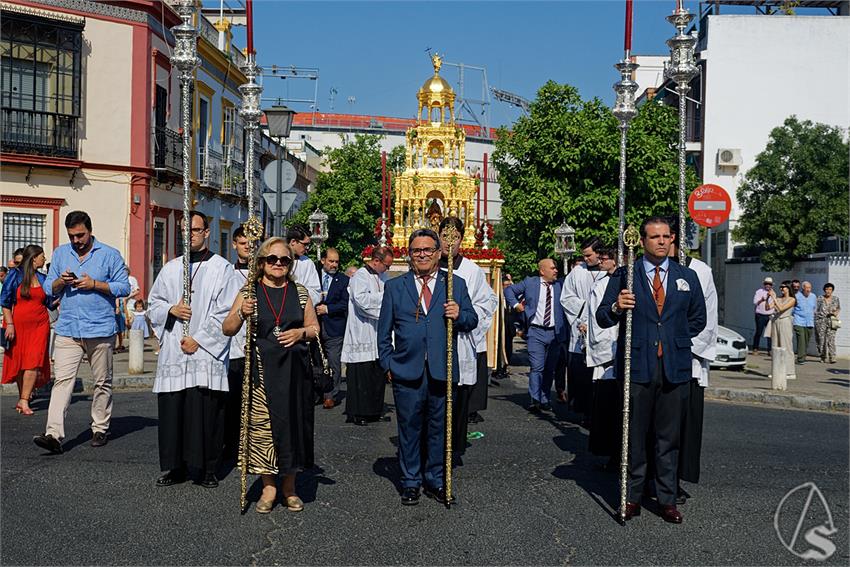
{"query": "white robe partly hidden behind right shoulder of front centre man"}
[(485, 302)]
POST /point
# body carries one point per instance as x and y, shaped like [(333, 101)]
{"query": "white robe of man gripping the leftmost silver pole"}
[(214, 288)]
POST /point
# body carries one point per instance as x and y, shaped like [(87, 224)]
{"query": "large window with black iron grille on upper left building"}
[(40, 85)]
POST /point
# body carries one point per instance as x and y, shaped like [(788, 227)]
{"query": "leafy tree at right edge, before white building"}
[(796, 194)]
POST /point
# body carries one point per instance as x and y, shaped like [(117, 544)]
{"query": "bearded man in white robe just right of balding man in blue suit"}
[(578, 286)]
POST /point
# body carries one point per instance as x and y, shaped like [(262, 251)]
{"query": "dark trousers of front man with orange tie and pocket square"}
[(656, 406)]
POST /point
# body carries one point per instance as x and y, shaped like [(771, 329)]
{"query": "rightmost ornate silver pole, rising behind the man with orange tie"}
[(681, 69)]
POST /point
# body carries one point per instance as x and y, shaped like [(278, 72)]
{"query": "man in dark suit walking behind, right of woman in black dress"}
[(333, 313)]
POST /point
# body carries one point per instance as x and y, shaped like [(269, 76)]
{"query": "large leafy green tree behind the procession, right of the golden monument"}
[(562, 163)]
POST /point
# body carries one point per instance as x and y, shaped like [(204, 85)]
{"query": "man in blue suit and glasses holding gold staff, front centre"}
[(412, 349)]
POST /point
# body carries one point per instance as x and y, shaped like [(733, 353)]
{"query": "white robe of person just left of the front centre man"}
[(365, 294)]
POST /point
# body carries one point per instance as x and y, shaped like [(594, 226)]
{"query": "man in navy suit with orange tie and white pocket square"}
[(668, 309)]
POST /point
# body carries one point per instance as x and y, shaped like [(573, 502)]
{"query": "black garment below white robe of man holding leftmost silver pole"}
[(191, 428)]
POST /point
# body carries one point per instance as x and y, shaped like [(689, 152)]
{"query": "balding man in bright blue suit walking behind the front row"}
[(536, 297)]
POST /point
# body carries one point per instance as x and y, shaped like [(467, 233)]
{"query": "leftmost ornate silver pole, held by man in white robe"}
[(185, 59)]
